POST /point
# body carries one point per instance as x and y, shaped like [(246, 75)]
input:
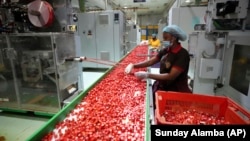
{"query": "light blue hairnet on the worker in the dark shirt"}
[(175, 31)]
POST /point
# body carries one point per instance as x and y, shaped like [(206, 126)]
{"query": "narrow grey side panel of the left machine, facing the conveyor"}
[(67, 71)]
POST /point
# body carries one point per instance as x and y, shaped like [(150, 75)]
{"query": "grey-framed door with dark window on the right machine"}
[(235, 69)]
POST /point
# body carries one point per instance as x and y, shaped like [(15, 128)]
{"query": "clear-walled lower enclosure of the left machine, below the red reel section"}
[(42, 77)]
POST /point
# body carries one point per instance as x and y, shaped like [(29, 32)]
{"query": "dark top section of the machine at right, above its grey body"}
[(227, 15)]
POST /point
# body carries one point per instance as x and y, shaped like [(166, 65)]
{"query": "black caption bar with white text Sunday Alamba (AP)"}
[(187, 132)]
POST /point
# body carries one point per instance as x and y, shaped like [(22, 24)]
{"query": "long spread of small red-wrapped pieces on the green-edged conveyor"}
[(113, 110)]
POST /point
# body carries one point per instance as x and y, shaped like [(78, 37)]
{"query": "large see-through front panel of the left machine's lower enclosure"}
[(35, 71)]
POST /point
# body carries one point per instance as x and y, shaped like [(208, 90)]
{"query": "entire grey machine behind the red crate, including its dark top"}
[(220, 50)]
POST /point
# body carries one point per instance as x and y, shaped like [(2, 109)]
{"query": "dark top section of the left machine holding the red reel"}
[(22, 16)]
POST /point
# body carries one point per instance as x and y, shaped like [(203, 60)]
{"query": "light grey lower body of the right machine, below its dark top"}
[(221, 64)]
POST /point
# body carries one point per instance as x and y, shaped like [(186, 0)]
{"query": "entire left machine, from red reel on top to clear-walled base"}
[(34, 42)]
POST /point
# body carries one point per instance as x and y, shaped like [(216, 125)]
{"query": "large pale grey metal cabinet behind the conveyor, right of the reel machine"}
[(102, 36)]
